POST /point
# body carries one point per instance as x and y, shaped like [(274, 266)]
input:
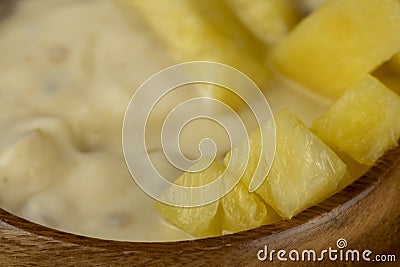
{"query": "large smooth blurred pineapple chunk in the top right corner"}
[(339, 44)]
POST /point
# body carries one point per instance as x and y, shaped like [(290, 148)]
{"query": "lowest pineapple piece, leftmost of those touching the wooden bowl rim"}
[(236, 211)]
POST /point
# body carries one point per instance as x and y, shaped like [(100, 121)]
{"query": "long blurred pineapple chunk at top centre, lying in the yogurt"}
[(204, 30)]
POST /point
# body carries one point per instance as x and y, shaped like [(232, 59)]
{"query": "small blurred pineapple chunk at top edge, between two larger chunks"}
[(268, 20)]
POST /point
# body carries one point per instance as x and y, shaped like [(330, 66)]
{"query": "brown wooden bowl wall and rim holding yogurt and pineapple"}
[(366, 214)]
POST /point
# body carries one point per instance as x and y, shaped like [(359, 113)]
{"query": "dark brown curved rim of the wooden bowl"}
[(318, 214)]
